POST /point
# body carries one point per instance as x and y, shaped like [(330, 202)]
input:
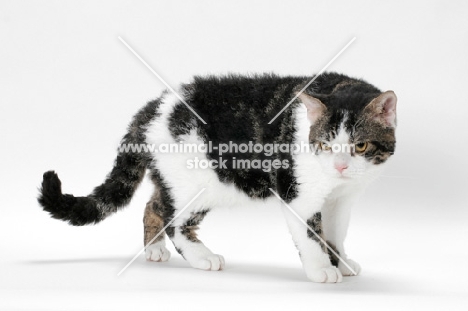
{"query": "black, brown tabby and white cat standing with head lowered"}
[(233, 115)]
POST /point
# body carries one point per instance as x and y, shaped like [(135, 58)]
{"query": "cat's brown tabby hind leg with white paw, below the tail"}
[(154, 237)]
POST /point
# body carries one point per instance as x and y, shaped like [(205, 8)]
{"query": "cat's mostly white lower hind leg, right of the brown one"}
[(183, 235)]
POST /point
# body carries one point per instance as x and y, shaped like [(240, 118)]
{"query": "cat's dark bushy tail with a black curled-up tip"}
[(118, 188)]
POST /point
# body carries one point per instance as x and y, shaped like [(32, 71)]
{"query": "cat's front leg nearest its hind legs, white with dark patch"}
[(312, 250)]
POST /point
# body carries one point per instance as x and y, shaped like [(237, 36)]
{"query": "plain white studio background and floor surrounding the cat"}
[(68, 88)]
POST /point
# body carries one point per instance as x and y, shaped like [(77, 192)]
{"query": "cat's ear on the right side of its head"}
[(383, 108)]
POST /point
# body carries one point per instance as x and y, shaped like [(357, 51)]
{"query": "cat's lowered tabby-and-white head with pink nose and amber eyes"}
[(352, 129)]
